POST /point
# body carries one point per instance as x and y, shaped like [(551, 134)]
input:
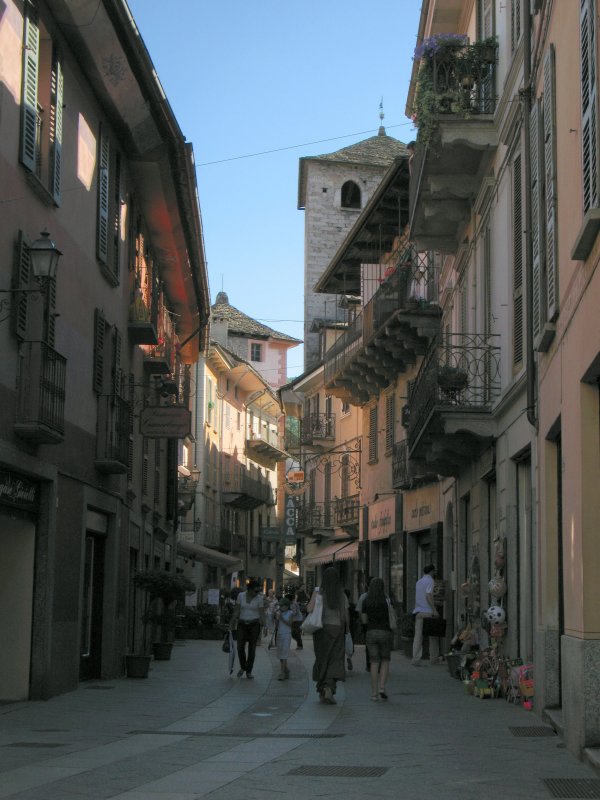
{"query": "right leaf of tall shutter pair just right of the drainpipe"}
[(550, 186)]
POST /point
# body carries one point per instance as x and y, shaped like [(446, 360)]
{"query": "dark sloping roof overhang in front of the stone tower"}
[(381, 221)]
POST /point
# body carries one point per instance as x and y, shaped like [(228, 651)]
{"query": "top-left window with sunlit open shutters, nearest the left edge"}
[(41, 105)]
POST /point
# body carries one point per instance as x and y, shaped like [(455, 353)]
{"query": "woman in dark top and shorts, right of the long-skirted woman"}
[(376, 618)]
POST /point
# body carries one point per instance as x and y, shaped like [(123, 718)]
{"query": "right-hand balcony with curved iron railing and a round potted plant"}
[(451, 400)]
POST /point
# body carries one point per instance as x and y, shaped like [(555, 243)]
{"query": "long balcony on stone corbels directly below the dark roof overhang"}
[(395, 327)]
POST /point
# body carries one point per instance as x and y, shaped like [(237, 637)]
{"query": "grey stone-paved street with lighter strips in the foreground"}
[(191, 731)]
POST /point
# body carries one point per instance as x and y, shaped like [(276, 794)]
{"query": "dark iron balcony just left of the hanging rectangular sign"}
[(112, 435)]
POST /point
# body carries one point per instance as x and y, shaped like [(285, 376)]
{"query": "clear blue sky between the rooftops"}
[(244, 78)]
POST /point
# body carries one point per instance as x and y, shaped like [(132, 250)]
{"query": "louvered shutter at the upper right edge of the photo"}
[(589, 106)]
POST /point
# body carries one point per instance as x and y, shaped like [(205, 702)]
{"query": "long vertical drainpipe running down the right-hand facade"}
[(526, 106)]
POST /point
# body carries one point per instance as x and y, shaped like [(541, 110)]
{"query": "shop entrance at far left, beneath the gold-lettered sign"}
[(17, 554)]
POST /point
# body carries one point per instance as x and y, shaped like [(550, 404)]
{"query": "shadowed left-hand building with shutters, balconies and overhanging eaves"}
[(96, 356)]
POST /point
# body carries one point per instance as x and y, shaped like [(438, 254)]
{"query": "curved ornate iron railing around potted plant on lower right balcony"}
[(460, 372)]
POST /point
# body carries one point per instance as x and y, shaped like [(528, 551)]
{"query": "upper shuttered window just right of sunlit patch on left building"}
[(109, 206)]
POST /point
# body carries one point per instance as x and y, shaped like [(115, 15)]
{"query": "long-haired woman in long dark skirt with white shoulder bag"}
[(328, 641)]
